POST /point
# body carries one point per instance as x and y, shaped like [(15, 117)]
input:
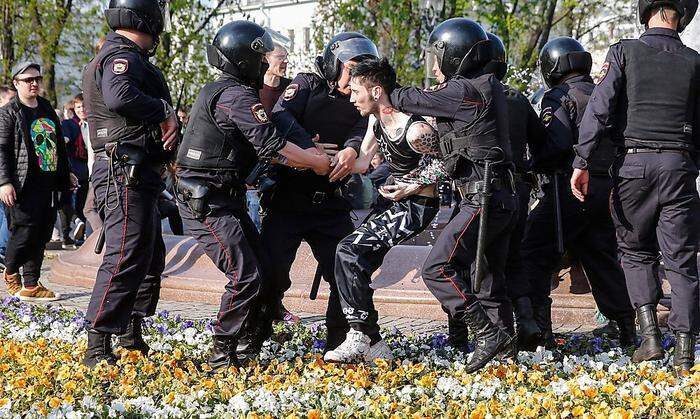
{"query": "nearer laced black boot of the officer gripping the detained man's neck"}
[(490, 339)]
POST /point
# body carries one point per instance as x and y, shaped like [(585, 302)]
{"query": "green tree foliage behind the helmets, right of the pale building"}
[(402, 27)]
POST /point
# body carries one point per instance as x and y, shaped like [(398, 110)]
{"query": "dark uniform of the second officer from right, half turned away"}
[(587, 227)]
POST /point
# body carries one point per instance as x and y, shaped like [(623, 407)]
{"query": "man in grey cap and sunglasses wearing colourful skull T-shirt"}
[(34, 170)]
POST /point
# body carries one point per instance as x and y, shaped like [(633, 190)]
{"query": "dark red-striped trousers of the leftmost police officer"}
[(128, 280)]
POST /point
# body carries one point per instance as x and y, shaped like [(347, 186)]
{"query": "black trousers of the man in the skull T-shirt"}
[(30, 222)]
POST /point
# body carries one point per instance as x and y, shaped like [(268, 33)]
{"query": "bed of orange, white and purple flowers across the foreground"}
[(40, 374)]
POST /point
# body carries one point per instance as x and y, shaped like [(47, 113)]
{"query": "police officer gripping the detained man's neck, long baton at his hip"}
[(470, 110)]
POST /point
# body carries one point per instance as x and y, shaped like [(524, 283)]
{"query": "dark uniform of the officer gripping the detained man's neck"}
[(471, 110)]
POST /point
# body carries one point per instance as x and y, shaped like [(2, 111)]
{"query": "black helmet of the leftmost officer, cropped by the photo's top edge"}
[(147, 16)]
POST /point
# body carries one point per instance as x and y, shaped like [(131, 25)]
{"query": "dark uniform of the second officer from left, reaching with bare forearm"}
[(226, 133)]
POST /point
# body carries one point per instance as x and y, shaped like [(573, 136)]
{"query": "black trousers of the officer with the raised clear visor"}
[(282, 233)]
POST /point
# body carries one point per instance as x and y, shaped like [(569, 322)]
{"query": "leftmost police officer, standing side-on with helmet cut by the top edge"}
[(132, 125)]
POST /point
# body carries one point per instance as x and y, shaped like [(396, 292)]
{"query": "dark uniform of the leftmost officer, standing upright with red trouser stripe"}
[(124, 100)]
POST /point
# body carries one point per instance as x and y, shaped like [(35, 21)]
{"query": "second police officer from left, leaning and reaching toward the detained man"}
[(227, 133)]
